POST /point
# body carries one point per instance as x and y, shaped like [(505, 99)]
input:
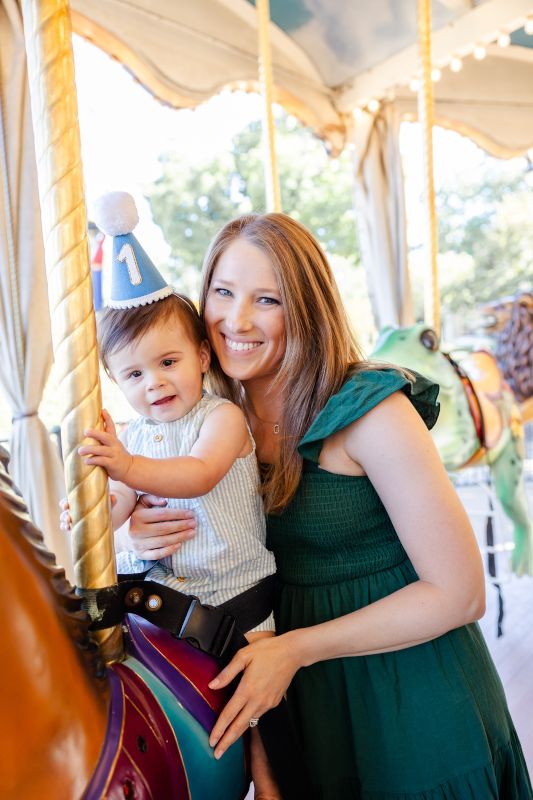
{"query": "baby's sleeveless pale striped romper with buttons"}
[(228, 553)]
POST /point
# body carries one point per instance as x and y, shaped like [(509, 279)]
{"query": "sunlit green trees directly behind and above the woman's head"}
[(191, 202)]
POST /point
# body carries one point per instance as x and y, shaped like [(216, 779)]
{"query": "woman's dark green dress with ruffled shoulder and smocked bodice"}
[(426, 723)]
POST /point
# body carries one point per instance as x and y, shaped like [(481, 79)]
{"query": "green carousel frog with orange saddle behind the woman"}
[(479, 421)]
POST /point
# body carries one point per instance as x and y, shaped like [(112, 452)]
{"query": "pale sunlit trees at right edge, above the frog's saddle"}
[(490, 221)]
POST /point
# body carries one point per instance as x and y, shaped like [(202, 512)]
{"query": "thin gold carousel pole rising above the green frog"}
[(425, 116)]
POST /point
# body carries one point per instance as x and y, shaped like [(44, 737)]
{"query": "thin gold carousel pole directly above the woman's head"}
[(273, 200)]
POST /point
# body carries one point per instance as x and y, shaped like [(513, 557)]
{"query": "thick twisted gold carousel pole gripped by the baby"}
[(54, 106)]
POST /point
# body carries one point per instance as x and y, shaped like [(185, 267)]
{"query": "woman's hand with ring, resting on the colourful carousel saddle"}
[(268, 667)]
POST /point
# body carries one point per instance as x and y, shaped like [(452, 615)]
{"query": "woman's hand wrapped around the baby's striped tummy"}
[(156, 531)]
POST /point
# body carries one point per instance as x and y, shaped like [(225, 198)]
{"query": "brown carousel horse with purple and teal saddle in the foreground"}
[(72, 728)]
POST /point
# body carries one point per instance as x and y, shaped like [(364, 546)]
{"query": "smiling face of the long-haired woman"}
[(243, 314)]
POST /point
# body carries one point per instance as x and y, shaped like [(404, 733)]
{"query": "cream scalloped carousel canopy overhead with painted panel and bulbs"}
[(330, 57)]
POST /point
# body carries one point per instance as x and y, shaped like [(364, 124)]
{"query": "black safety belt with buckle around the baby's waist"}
[(218, 631)]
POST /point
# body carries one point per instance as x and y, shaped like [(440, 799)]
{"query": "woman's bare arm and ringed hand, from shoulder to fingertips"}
[(394, 448)]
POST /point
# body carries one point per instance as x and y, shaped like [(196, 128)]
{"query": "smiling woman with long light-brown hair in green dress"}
[(388, 681)]
